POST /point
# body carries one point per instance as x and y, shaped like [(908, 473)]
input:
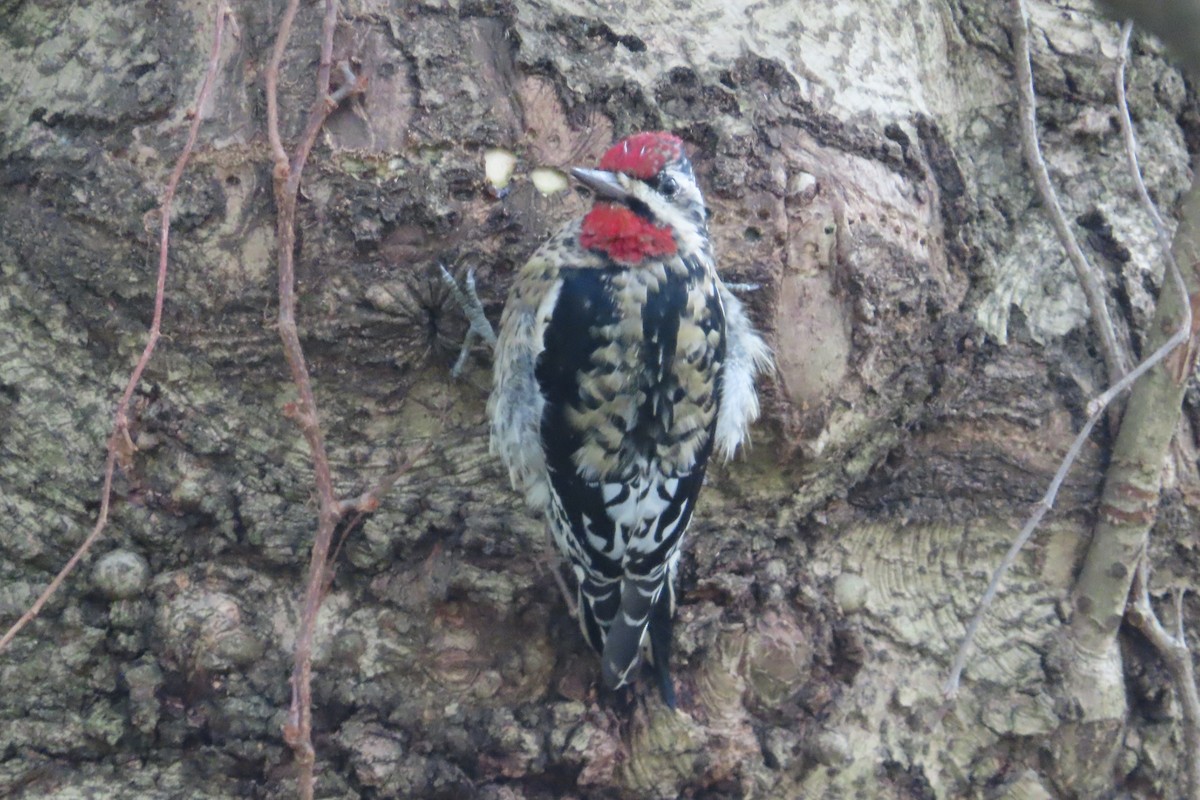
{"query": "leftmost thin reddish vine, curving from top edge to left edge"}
[(121, 444)]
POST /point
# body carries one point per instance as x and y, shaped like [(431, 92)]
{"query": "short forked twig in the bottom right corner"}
[(1178, 658)]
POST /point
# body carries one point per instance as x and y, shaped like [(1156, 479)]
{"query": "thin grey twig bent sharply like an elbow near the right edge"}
[(1099, 405)]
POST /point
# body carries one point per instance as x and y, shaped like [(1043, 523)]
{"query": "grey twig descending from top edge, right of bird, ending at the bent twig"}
[(1115, 357)]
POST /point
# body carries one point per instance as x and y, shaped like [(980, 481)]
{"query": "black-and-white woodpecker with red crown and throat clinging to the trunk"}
[(622, 363)]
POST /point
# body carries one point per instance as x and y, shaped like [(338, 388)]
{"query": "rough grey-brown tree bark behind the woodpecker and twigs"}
[(863, 166)]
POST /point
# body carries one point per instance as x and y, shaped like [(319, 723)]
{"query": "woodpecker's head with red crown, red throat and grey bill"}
[(647, 201)]
